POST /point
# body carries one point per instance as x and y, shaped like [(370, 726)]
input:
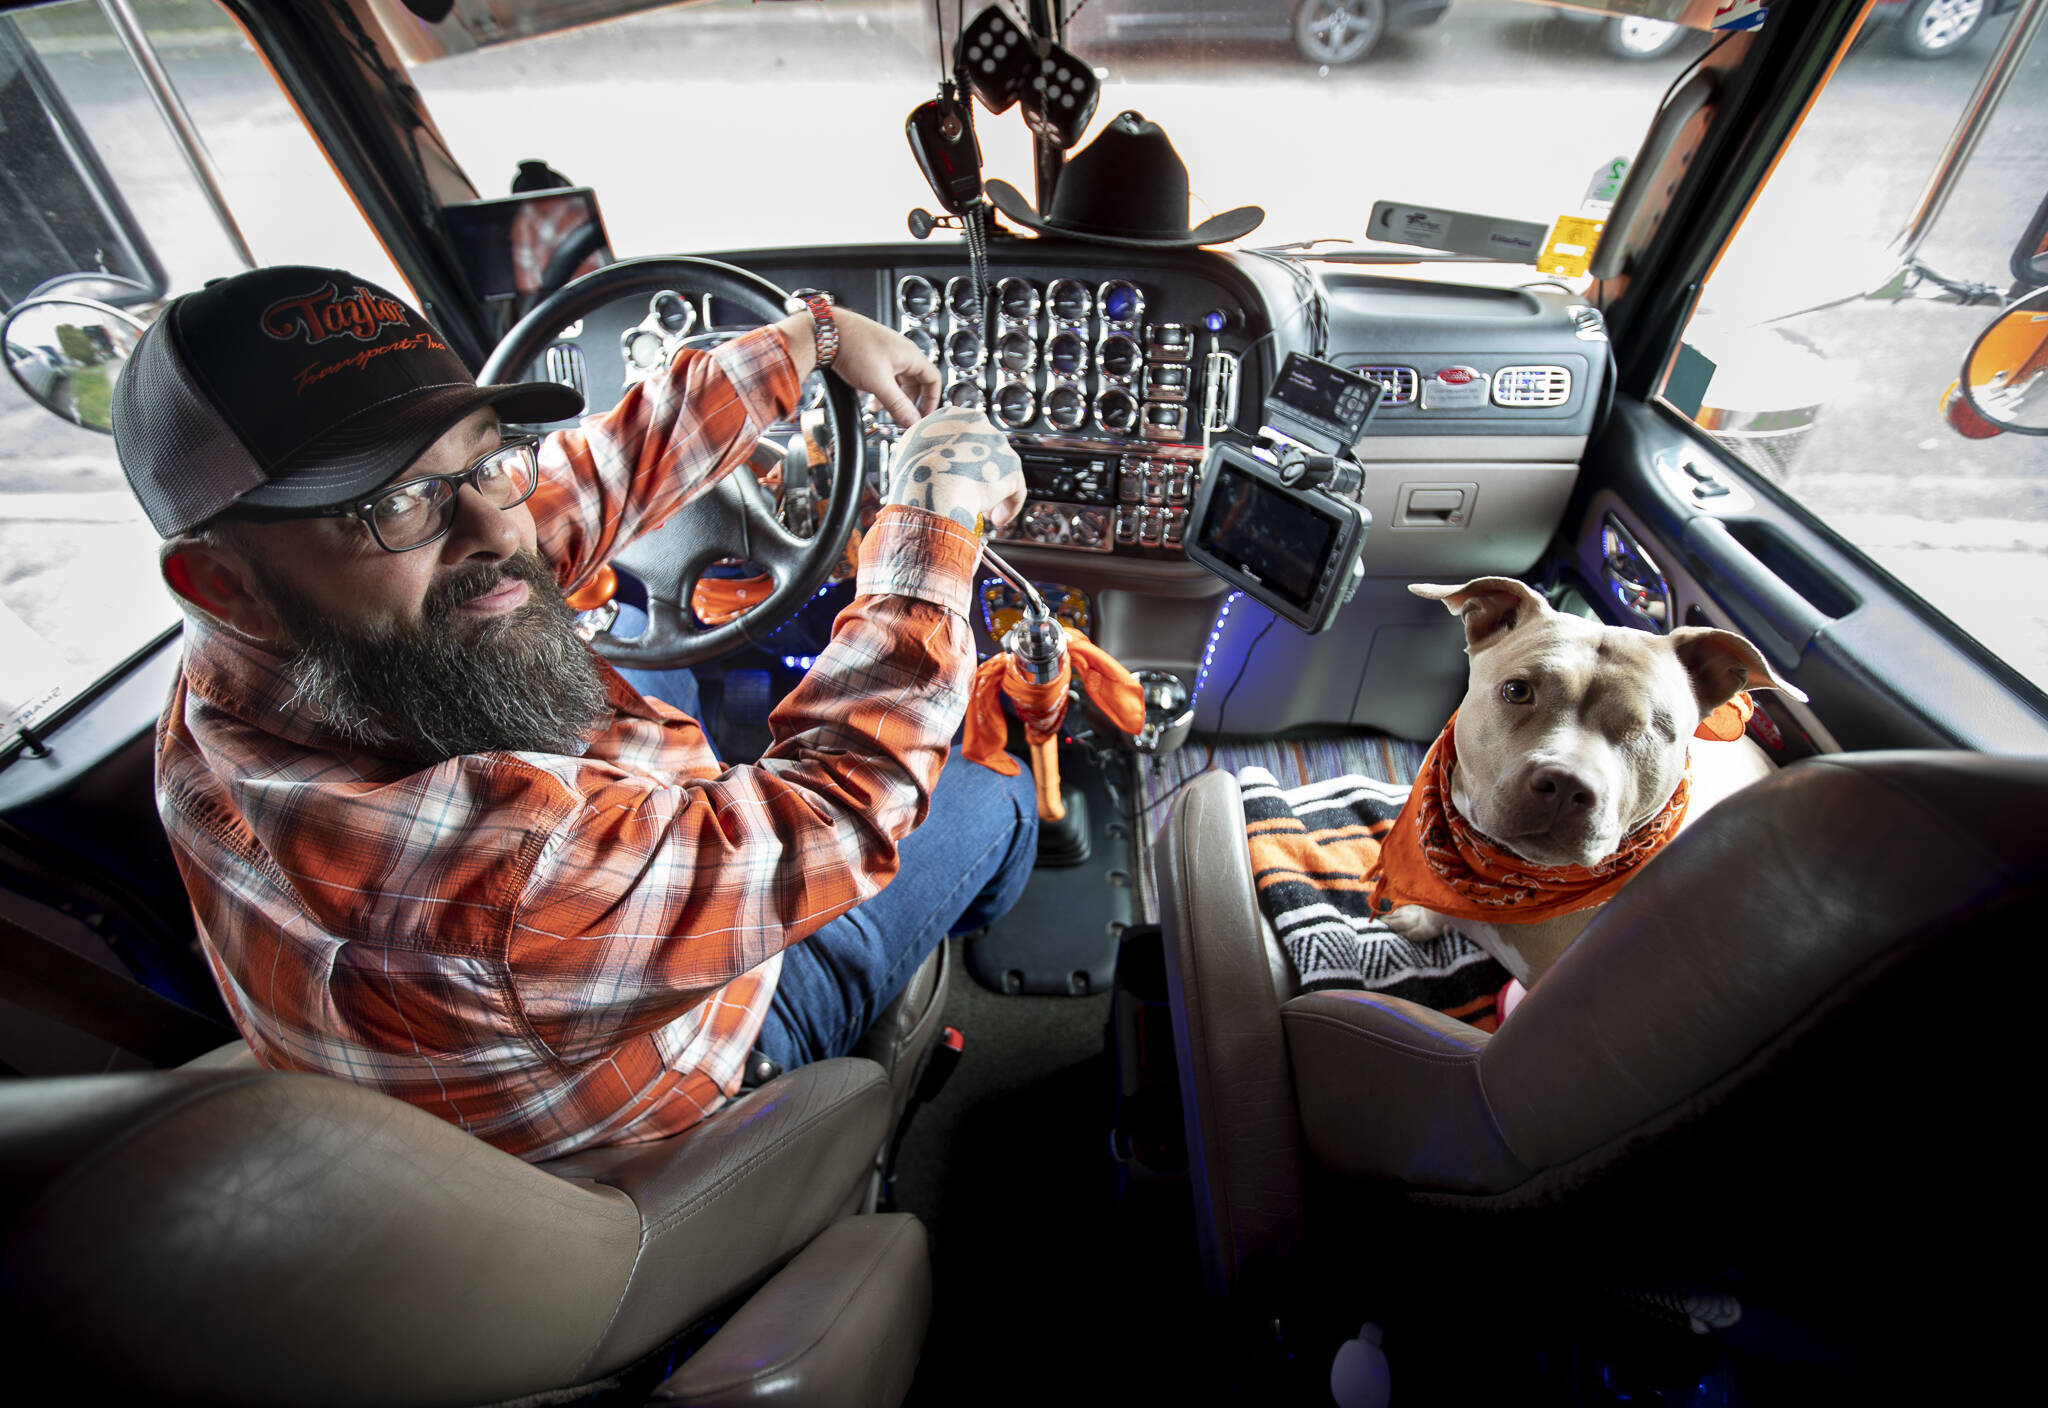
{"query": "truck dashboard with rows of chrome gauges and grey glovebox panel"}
[(1115, 371)]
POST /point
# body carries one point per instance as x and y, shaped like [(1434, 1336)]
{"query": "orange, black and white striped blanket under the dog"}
[(1312, 850)]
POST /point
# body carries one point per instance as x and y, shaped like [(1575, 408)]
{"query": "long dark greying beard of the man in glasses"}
[(452, 683)]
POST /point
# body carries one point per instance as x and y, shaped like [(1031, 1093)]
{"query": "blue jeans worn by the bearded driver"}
[(964, 869)]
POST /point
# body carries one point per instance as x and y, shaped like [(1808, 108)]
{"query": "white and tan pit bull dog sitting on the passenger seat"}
[(1574, 736)]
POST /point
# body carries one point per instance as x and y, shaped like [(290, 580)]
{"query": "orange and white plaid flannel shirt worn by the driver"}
[(556, 953)]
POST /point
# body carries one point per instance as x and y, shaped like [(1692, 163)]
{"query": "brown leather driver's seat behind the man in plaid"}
[(232, 1235)]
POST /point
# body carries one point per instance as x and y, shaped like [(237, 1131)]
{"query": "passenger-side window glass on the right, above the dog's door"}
[(1834, 339)]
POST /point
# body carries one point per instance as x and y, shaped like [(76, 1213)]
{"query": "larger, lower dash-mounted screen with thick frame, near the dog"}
[(1293, 549)]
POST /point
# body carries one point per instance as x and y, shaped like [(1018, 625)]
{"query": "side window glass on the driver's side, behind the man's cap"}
[(79, 584)]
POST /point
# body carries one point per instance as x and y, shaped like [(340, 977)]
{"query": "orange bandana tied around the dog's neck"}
[(1437, 861)]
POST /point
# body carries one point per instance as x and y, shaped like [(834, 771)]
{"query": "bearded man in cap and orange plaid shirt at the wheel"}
[(433, 842)]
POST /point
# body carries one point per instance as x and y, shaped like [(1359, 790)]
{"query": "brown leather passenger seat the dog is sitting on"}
[(1791, 1020)]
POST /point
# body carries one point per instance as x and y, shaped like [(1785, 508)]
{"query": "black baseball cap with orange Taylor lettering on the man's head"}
[(294, 388)]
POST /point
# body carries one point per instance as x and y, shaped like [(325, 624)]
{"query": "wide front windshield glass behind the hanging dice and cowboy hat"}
[(734, 126)]
